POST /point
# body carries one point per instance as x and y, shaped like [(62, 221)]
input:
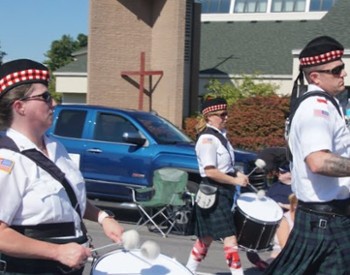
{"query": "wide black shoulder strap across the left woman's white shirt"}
[(49, 166)]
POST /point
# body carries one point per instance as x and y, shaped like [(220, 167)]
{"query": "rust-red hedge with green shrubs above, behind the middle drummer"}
[(256, 113)]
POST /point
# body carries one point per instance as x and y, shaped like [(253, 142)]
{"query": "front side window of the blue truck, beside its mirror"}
[(111, 127)]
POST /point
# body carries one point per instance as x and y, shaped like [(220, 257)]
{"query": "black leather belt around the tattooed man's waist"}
[(331, 208)]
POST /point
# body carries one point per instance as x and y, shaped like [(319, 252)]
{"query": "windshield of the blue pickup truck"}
[(163, 131)]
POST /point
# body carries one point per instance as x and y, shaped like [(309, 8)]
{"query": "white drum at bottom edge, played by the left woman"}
[(132, 262)]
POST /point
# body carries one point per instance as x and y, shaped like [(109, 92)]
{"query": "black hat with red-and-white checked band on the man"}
[(321, 50)]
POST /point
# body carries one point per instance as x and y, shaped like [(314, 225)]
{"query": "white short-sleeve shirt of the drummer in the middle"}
[(211, 152)]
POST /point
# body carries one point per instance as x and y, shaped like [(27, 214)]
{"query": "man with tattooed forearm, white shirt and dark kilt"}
[(319, 142)]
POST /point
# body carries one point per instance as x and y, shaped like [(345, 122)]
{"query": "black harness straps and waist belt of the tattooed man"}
[(331, 208)]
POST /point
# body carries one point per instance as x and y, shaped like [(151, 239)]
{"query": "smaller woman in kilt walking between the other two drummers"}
[(215, 157)]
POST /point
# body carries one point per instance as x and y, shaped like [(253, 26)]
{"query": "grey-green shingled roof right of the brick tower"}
[(265, 47)]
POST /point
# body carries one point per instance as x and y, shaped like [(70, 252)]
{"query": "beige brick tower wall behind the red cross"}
[(119, 31)]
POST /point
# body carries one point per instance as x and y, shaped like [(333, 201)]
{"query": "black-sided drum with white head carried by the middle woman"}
[(256, 221)]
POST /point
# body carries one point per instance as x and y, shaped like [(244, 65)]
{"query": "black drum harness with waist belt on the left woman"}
[(45, 232)]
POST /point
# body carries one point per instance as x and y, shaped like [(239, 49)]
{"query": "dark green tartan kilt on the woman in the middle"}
[(217, 221)]
